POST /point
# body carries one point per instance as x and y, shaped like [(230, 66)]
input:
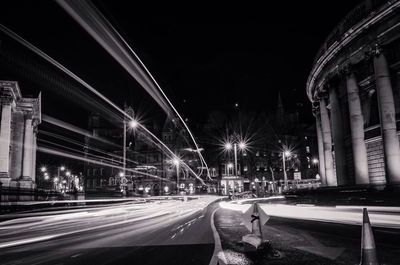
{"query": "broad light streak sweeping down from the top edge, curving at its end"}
[(91, 19)]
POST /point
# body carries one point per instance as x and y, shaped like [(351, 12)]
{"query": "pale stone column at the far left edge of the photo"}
[(5, 138)]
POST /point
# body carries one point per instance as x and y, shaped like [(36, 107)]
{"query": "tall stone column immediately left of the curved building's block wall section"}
[(360, 158)]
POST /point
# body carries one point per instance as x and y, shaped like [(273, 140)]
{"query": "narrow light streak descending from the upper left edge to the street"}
[(49, 59)]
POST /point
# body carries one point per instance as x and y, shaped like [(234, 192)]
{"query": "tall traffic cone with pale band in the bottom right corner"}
[(368, 250)]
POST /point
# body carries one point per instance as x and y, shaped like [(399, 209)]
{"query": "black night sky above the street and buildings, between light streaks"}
[(203, 60)]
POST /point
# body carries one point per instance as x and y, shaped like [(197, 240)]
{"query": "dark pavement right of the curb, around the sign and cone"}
[(302, 242)]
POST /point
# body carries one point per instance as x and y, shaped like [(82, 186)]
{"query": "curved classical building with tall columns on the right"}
[(354, 87)]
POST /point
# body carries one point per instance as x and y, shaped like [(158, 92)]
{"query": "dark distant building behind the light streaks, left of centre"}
[(148, 170)]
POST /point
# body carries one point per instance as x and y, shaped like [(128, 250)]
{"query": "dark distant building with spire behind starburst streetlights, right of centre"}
[(261, 162)]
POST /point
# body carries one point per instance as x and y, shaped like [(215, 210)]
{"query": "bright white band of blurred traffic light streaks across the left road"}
[(118, 224)]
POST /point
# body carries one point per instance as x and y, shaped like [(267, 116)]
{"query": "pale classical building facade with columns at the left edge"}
[(20, 117)]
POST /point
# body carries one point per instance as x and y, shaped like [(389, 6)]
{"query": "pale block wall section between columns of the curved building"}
[(376, 164)]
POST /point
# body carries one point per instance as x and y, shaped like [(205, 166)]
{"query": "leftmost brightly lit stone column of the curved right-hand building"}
[(327, 142)]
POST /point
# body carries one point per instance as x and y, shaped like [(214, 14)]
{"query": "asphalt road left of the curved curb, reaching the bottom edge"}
[(165, 232)]
